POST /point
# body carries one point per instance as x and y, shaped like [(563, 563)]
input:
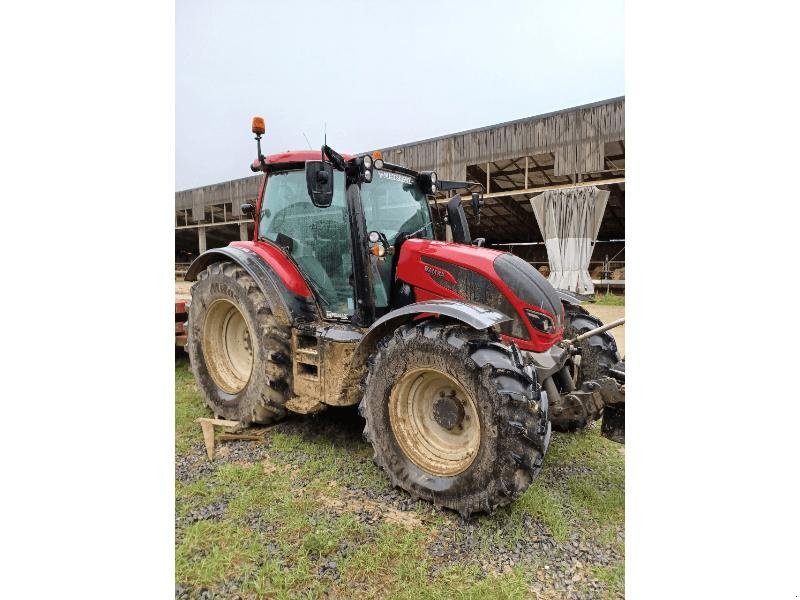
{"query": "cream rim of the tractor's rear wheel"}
[(227, 348)]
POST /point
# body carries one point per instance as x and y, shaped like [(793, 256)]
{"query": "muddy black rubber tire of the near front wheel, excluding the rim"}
[(522, 428)]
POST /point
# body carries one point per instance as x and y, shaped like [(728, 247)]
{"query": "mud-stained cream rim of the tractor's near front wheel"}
[(435, 421)]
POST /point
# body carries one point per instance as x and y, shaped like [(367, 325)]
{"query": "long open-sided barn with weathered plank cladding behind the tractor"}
[(555, 191)]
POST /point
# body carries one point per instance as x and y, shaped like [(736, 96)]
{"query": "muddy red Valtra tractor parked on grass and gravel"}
[(454, 353)]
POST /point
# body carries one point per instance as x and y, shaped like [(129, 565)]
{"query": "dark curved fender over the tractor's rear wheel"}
[(287, 305)]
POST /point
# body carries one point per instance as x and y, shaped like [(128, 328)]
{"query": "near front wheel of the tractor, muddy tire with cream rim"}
[(423, 359)]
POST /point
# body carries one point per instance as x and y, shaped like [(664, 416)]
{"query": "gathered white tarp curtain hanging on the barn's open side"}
[(569, 220)]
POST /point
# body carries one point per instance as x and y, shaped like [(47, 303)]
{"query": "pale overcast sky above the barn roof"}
[(377, 74)]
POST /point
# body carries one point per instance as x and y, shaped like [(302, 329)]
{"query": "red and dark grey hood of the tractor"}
[(497, 279)]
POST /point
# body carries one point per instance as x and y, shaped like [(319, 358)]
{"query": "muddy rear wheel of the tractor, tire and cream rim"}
[(239, 354)]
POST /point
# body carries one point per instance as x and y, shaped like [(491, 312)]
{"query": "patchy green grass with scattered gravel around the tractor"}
[(293, 522)]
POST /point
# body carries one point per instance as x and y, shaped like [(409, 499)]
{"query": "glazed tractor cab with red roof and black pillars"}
[(341, 221)]
